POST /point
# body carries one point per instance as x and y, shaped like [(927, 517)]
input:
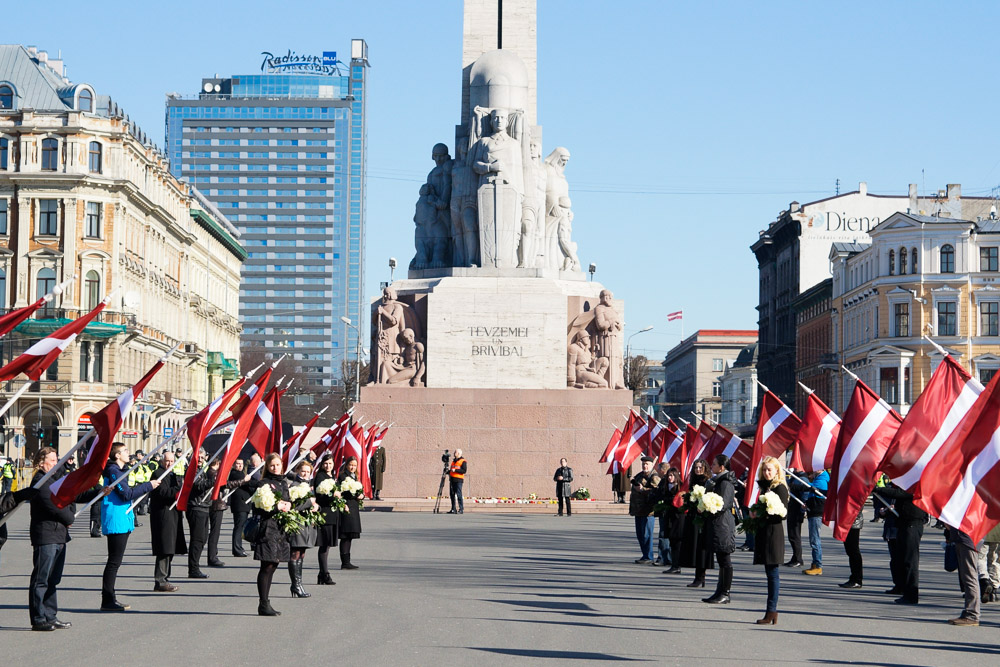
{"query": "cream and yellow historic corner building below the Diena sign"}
[(920, 275)]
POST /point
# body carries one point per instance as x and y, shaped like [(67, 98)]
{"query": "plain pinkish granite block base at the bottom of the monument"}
[(512, 438)]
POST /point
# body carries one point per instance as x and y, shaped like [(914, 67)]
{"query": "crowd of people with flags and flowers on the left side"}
[(281, 513)]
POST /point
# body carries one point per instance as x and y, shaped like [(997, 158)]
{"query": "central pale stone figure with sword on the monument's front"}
[(496, 157)]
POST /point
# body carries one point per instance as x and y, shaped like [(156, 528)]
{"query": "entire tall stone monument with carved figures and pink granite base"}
[(496, 343)]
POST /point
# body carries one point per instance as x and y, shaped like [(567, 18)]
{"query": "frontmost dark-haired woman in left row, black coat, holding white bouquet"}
[(271, 546)]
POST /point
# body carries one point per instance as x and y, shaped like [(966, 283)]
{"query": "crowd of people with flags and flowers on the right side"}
[(699, 520)]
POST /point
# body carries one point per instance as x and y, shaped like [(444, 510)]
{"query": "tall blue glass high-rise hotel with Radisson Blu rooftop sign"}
[(282, 153)]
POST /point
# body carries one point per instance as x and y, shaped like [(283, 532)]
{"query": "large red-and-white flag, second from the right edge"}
[(937, 413)]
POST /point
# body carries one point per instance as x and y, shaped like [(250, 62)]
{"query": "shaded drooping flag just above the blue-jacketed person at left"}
[(106, 424)]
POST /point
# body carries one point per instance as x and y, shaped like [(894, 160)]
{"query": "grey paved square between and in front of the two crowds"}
[(490, 589)]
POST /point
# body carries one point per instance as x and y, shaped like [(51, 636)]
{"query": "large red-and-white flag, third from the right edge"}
[(868, 427)]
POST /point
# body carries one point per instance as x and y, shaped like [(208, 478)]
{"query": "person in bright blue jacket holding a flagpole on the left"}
[(117, 521)]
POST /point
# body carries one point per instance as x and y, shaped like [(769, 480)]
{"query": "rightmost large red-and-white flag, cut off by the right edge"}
[(961, 484)]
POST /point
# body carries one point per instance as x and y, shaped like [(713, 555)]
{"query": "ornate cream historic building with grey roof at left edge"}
[(85, 197)]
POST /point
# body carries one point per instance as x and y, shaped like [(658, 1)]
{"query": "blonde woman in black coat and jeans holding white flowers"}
[(769, 542)]
